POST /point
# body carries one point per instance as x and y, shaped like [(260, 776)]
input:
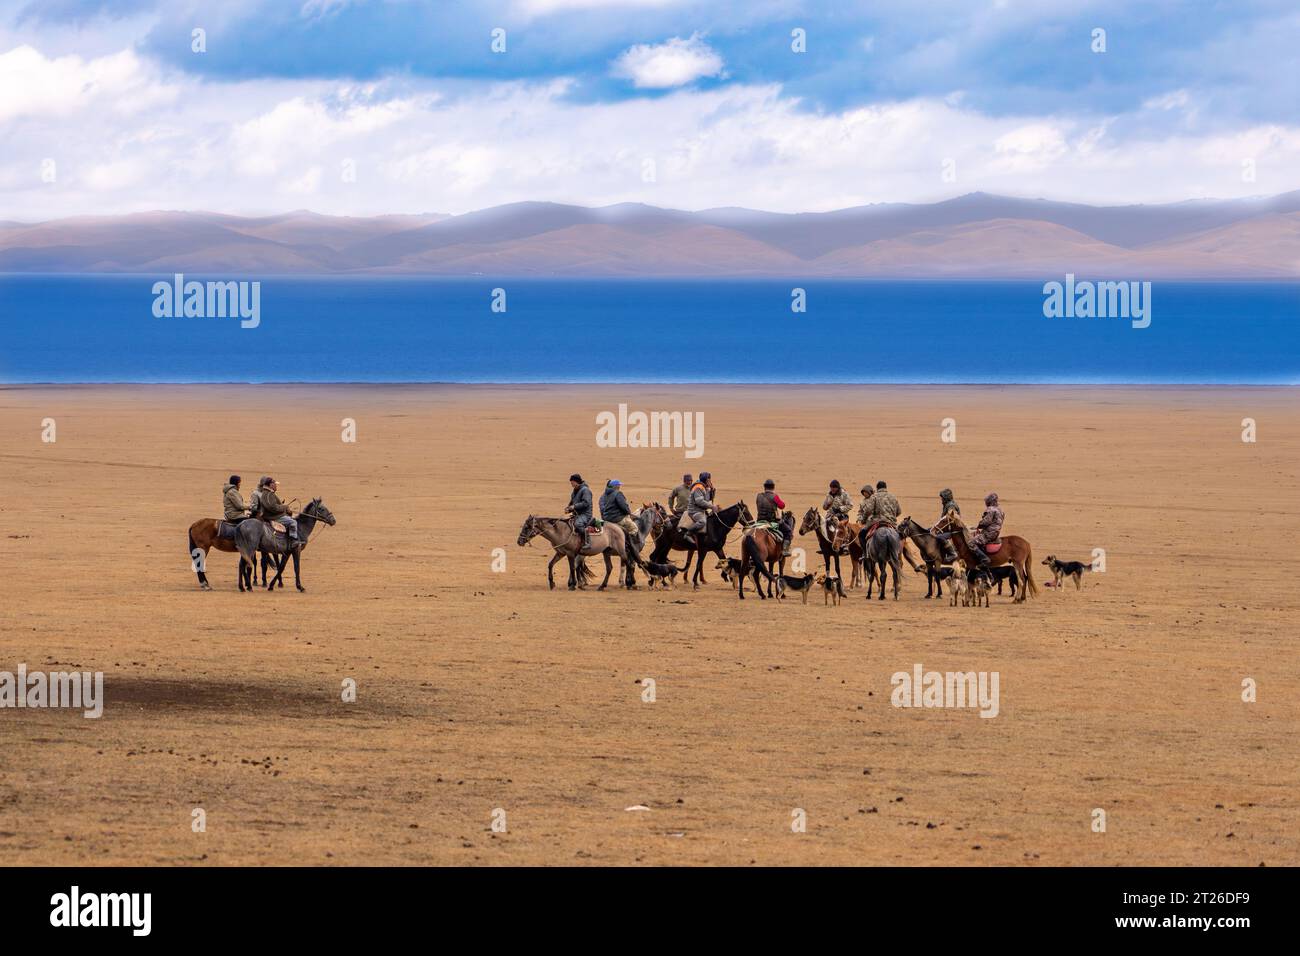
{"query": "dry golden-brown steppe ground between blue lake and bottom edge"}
[(482, 691)]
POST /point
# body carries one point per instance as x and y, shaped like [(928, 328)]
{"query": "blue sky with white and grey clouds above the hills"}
[(353, 107)]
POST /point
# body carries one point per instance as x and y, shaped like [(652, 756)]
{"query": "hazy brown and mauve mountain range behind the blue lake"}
[(976, 236)]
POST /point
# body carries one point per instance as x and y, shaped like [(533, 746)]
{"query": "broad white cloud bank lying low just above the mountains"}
[(422, 146)]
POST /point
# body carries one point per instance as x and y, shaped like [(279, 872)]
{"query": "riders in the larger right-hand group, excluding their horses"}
[(692, 503)]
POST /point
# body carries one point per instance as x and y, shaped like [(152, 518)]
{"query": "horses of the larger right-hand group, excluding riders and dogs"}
[(873, 555)]
